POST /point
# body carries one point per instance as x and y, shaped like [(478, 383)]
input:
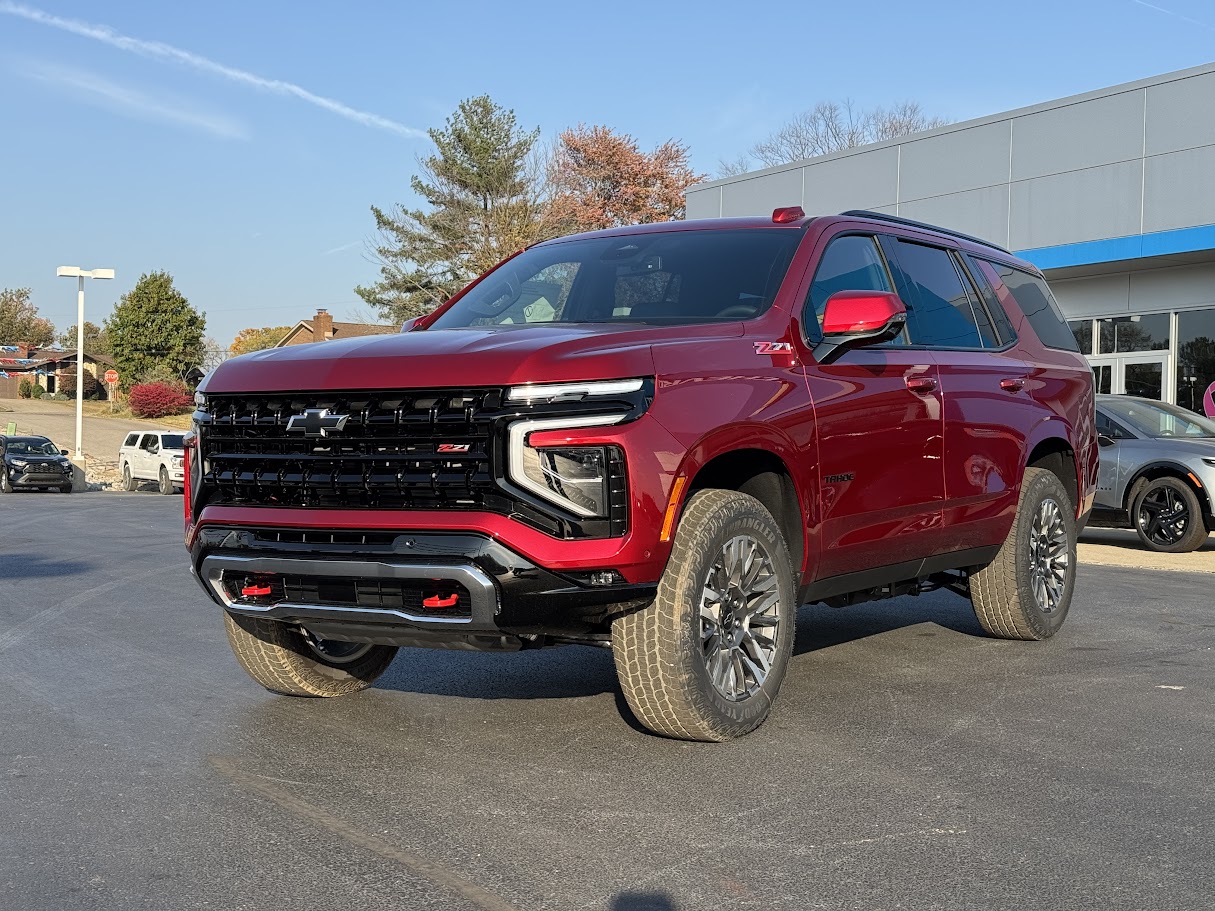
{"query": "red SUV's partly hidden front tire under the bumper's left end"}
[(281, 659)]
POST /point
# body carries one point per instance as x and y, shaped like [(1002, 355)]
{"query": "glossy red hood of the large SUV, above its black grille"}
[(479, 357)]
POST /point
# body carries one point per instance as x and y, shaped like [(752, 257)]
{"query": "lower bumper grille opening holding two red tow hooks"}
[(409, 596)]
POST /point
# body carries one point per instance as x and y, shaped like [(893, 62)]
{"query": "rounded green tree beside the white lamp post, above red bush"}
[(154, 330)]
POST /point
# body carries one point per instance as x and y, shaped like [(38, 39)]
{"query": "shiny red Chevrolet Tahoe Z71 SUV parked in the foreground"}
[(659, 440)]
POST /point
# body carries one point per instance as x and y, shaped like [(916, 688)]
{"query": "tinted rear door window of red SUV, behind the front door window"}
[(942, 315)]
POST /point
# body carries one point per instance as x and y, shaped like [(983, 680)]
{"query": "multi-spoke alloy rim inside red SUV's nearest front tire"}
[(739, 619)]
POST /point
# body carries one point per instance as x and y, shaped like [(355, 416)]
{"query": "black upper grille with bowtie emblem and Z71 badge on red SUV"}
[(397, 450)]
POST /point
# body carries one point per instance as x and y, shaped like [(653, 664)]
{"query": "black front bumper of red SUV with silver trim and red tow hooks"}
[(374, 587)]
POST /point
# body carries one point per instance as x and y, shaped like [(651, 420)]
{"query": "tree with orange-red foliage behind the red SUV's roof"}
[(601, 179)]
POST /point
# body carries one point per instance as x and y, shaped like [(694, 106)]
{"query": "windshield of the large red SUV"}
[(674, 278)]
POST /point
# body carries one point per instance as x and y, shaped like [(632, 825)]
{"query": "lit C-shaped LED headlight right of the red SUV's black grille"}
[(572, 477)]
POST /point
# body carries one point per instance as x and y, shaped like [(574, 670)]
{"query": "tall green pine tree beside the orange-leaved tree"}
[(484, 205)]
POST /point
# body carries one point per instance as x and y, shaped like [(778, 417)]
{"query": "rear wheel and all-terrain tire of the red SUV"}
[(1026, 592)]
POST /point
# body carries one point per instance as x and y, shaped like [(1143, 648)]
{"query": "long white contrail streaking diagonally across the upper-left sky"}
[(160, 50)]
